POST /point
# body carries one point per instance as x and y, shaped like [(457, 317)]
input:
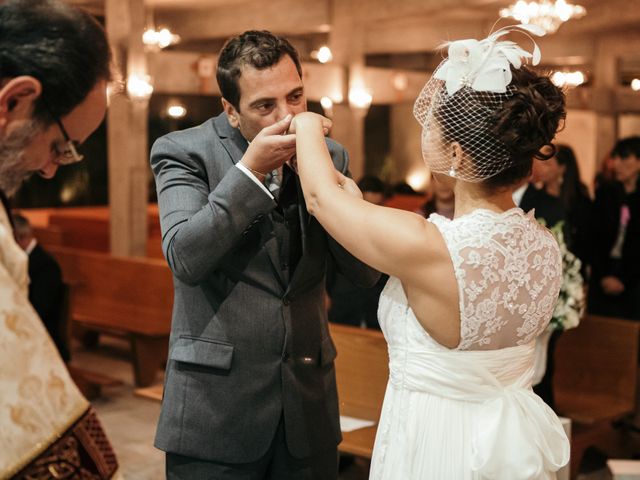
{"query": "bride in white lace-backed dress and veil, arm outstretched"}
[(467, 297)]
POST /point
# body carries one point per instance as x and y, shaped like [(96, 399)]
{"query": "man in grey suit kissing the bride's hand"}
[(250, 386)]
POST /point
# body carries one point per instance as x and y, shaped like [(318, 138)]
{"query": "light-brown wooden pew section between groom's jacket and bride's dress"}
[(362, 370)]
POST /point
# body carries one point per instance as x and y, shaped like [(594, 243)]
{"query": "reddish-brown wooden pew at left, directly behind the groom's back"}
[(127, 296)]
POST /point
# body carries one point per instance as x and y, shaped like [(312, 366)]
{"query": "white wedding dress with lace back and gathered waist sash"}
[(469, 412)]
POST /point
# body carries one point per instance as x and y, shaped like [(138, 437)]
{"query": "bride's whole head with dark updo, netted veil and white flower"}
[(501, 113)]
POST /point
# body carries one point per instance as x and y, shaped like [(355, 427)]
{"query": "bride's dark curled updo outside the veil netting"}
[(527, 123)]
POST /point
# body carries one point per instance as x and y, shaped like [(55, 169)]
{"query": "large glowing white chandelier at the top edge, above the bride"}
[(547, 14)]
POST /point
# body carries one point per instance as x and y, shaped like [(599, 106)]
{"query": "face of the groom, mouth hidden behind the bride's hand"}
[(267, 96)]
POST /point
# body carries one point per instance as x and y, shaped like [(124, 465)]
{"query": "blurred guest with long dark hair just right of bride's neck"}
[(561, 179)]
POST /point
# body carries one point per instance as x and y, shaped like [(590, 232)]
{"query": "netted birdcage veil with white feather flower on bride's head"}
[(460, 100)]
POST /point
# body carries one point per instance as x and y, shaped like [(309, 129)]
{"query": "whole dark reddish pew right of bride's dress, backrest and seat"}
[(596, 368)]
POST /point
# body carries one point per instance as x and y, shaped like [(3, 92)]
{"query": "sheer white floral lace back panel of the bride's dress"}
[(508, 269)]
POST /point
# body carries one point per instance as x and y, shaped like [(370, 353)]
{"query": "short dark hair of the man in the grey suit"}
[(259, 49)]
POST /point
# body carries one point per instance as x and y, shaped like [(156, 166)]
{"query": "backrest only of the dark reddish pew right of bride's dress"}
[(596, 364)]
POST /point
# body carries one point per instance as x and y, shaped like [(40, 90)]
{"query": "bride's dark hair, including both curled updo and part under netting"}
[(504, 133)]
